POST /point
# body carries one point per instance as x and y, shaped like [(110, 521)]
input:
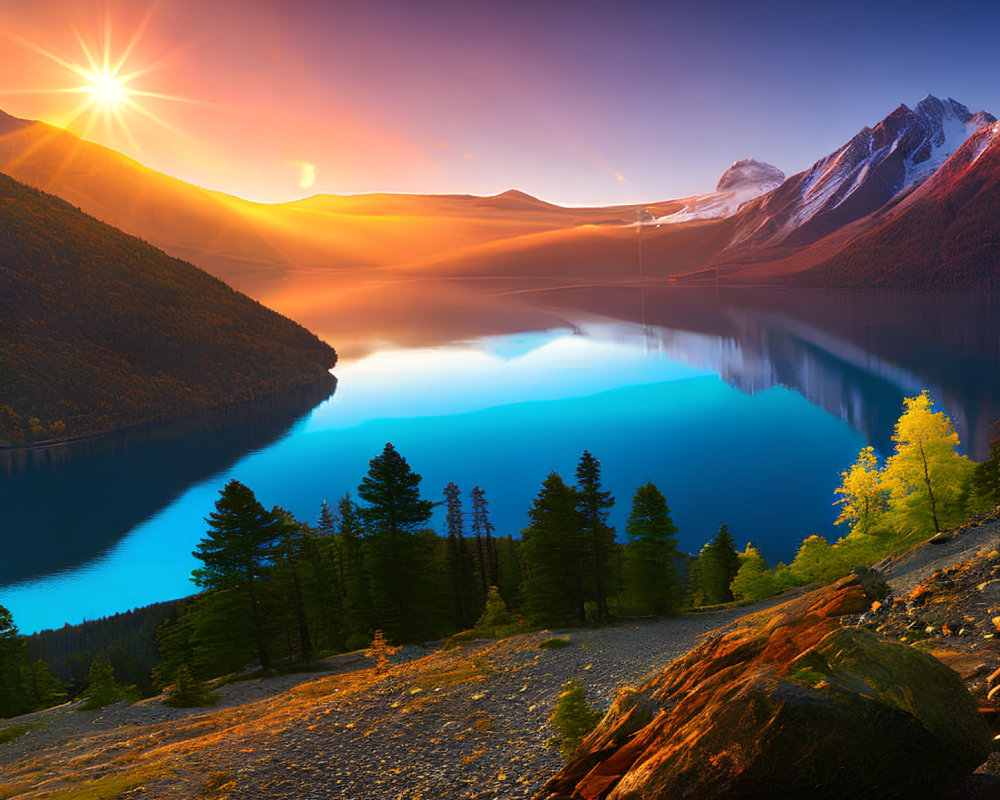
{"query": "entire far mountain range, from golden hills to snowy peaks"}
[(355, 268)]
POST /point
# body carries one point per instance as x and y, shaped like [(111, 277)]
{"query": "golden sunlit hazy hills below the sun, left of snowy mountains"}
[(277, 253)]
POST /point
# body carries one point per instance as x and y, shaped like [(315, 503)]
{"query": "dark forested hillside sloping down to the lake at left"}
[(100, 330)]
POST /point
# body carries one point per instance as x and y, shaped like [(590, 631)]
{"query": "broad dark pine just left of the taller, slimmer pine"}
[(554, 548)]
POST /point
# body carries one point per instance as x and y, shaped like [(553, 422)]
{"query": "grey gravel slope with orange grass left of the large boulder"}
[(466, 723)]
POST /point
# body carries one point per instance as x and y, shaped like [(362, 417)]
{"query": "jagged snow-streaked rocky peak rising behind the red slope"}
[(877, 166)]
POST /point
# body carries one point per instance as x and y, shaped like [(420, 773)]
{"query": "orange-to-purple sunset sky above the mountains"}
[(575, 102)]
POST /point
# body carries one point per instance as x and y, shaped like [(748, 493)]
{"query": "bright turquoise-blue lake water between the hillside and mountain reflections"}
[(500, 413)]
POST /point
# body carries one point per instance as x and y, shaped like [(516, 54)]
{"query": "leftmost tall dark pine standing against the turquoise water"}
[(236, 555)]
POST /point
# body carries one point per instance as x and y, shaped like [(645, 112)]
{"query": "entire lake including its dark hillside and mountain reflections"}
[(741, 406)]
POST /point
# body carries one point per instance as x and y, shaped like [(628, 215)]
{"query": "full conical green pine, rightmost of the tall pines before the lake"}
[(650, 568)]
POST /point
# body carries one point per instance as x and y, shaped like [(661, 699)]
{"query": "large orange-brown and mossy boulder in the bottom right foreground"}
[(789, 704)]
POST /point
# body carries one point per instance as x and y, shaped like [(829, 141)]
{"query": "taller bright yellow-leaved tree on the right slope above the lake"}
[(928, 481)]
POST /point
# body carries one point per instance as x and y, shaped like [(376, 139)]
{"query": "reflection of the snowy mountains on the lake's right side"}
[(855, 355)]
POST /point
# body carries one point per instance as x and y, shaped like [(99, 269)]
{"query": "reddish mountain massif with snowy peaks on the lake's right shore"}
[(920, 179)]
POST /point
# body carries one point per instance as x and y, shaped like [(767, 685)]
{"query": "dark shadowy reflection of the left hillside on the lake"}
[(65, 505)]
